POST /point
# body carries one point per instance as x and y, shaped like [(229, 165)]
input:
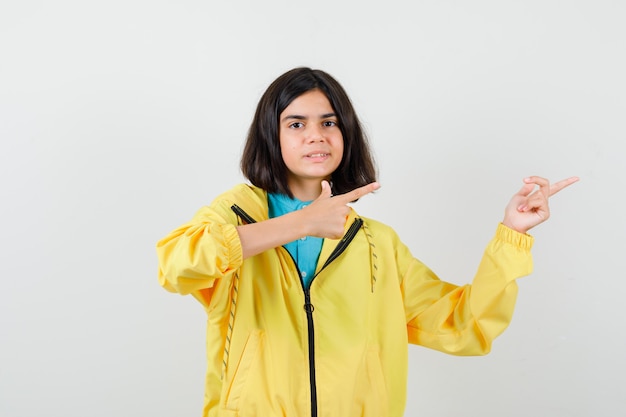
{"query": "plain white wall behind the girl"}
[(119, 119)]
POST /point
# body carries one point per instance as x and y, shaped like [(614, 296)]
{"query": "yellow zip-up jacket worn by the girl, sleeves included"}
[(339, 347)]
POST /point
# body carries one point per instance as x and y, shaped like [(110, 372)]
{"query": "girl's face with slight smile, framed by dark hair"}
[(311, 142)]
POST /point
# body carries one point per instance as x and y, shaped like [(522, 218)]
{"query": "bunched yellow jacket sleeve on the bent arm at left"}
[(192, 257)]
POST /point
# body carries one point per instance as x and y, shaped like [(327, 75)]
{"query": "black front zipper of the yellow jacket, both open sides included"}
[(308, 306)]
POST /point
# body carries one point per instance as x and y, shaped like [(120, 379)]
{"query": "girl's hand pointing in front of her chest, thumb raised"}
[(326, 216)]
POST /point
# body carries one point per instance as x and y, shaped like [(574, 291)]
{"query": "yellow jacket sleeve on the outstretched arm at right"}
[(464, 320)]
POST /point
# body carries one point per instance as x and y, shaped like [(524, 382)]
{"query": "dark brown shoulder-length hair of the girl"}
[(262, 162)]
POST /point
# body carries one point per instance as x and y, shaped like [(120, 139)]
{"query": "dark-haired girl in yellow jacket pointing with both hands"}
[(311, 306)]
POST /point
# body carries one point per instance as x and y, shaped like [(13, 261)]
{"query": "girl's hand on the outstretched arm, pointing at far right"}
[(527, 209)]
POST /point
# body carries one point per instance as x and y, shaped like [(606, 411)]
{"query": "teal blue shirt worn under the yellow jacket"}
[(305, 251)]
